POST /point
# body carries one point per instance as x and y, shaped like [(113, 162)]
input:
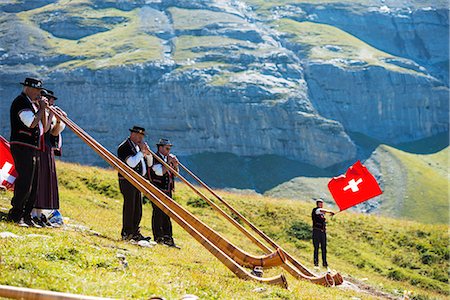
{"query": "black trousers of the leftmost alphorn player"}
[(26, 162)]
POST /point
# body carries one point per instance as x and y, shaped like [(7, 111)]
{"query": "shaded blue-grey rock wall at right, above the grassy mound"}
[(365, 101)]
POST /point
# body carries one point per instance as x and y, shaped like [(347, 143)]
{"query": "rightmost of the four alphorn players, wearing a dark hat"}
[(163, 179)]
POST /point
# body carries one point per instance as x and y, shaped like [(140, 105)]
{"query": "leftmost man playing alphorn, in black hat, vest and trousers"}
[(28, 120)]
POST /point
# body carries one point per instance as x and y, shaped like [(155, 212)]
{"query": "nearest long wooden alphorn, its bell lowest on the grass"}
[(166, 205)]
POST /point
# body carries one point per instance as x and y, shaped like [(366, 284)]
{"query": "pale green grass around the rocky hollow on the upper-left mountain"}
[(121, 44)]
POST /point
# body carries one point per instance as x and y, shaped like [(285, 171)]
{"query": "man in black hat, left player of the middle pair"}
[(135, 153)]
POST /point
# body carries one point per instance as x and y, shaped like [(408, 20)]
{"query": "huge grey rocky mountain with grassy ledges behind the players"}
[(241, 77)]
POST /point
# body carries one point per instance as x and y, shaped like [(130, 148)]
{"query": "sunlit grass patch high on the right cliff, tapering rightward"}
[(316, 38)]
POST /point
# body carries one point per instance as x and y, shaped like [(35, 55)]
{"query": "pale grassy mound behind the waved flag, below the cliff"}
[(415, 186)]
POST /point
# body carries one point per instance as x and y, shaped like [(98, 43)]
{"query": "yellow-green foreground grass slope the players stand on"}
[(387, 255)]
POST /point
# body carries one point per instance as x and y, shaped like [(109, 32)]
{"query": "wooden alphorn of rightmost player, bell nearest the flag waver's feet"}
[(301, 273)]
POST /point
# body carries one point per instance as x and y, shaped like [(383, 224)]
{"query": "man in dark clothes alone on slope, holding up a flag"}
[(319, 232)]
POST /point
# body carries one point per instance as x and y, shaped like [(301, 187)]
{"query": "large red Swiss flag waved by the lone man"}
[(356, 186)]
